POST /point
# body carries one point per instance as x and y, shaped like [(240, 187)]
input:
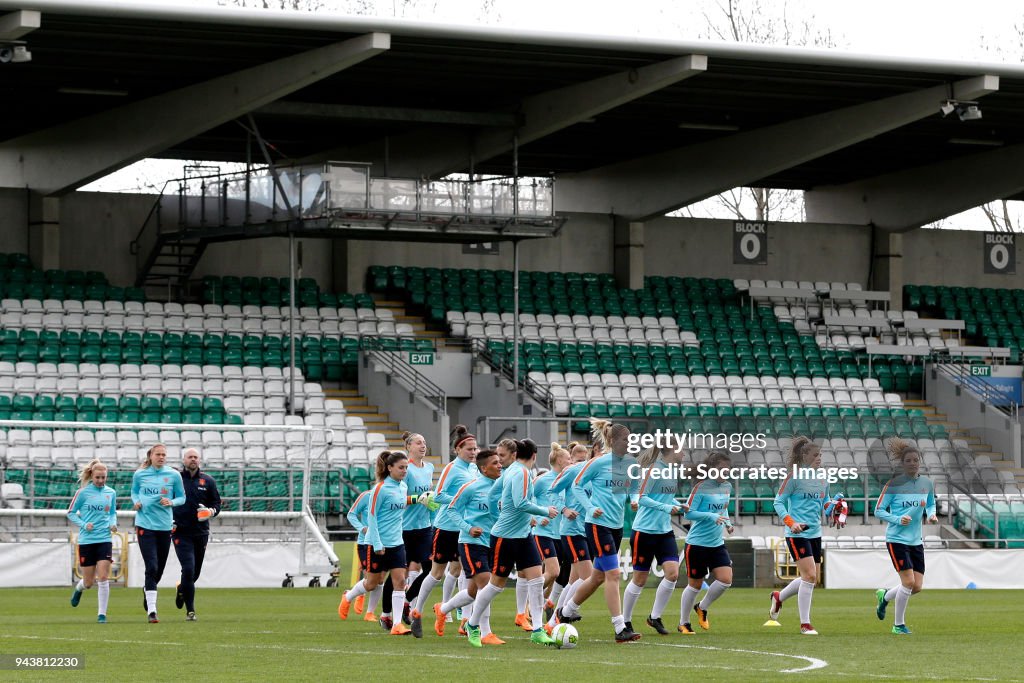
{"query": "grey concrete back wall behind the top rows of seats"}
[(97, 229)]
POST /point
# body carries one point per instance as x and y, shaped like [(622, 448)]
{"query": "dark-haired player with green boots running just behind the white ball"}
[(513, 546)]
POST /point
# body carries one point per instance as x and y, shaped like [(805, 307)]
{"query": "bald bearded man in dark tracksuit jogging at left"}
[(191, 534)]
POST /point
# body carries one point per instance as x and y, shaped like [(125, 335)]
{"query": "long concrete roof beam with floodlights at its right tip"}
[(662, 183)]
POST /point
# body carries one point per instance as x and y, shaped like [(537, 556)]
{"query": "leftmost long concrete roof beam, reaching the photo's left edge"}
[(61, 159)]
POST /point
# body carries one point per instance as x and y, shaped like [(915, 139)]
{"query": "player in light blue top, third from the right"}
[(709, 515)]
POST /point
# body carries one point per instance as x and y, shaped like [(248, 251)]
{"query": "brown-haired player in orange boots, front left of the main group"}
[(386, 552)]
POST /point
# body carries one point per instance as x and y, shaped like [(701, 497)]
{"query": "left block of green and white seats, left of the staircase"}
[(117, 359)]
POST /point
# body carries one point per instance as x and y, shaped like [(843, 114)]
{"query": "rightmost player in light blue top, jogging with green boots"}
[(906, 502)]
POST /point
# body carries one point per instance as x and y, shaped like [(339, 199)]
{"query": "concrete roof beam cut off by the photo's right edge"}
[(910, 199)]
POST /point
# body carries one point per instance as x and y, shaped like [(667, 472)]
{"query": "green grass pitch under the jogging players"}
[(295, 635)]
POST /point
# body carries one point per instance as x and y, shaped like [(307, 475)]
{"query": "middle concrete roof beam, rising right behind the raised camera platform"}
[(434, 154)]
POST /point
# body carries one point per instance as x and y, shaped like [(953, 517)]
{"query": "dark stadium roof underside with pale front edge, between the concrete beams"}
[(94, 57)]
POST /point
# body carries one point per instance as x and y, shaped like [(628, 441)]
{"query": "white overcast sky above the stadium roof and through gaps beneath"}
[(983, 30)]
